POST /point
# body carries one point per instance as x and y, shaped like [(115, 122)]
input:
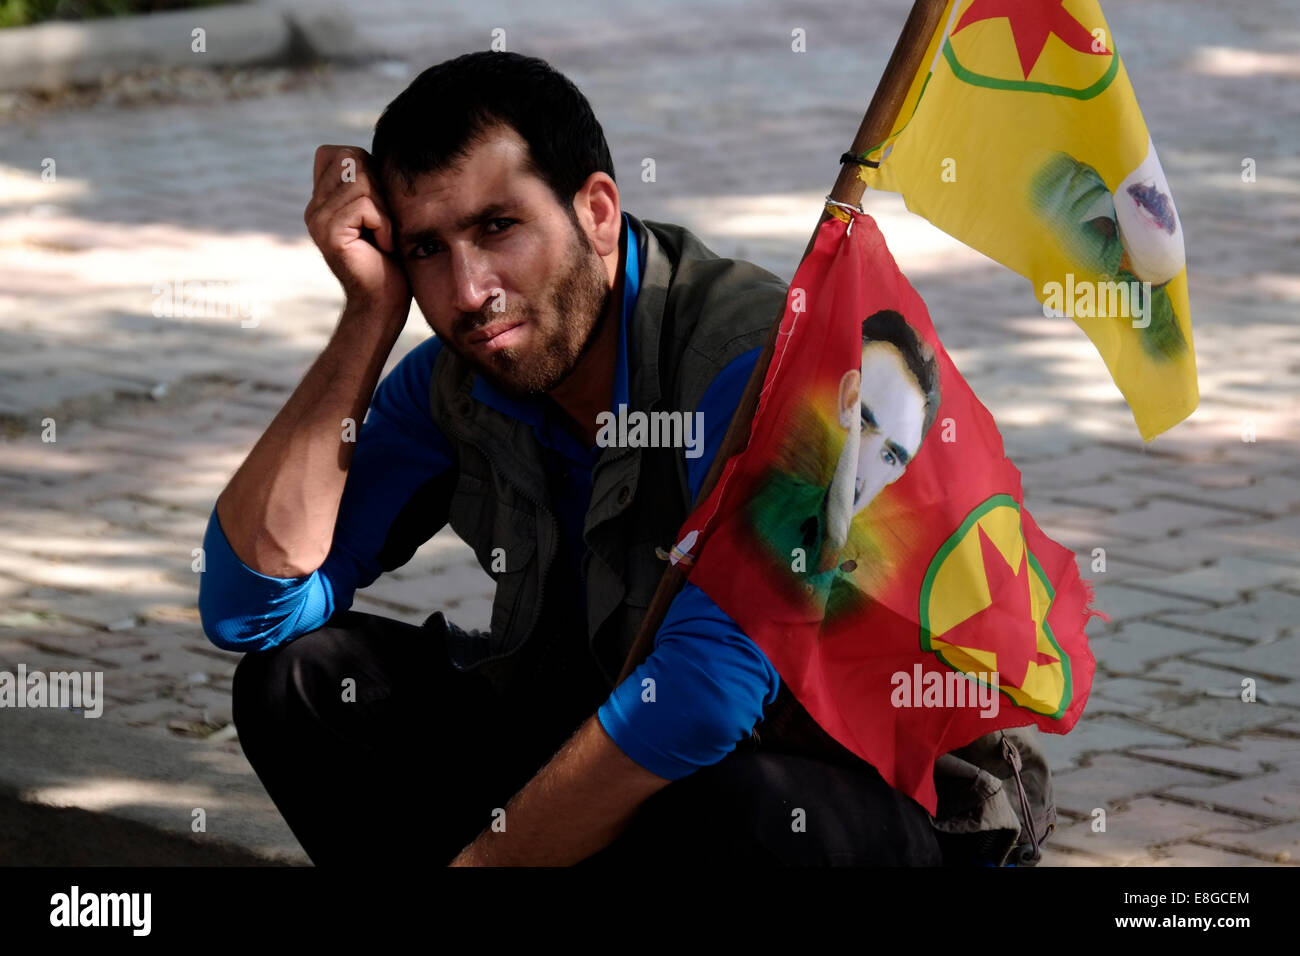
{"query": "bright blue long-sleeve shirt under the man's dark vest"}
[(701, 690)]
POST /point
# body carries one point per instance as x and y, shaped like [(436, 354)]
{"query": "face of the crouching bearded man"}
[(501, 272)]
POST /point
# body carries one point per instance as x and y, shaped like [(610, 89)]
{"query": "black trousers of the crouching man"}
[(376, 749)]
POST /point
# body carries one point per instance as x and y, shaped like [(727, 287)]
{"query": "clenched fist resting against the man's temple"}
[(346, 200)]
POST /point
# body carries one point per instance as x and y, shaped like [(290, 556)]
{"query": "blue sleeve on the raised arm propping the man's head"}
[(398, 451)]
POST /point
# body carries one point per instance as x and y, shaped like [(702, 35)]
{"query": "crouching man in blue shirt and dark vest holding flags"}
[(491, 200)]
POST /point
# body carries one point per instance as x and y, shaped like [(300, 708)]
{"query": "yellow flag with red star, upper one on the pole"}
[(1022, 137)]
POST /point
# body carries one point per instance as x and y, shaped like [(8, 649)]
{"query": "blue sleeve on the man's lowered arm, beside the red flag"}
[(705, 685)]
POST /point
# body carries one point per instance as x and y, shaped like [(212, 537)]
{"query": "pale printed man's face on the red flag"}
[(892, 412)]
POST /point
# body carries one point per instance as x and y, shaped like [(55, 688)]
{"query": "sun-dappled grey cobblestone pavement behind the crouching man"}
[(1201, 530)]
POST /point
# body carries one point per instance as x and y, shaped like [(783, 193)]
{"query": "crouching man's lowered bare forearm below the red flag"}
[(575, 806)]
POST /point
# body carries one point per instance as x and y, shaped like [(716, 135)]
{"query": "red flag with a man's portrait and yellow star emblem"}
[(873, 540)]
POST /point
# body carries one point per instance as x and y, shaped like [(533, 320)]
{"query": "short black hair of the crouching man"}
[(435, 123)]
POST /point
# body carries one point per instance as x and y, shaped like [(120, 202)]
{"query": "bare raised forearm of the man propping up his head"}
[(279, 511)]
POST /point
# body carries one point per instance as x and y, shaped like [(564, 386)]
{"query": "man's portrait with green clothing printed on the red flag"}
[(886, 409)]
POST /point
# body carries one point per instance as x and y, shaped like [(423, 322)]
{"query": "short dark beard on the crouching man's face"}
[(565, 327)]
